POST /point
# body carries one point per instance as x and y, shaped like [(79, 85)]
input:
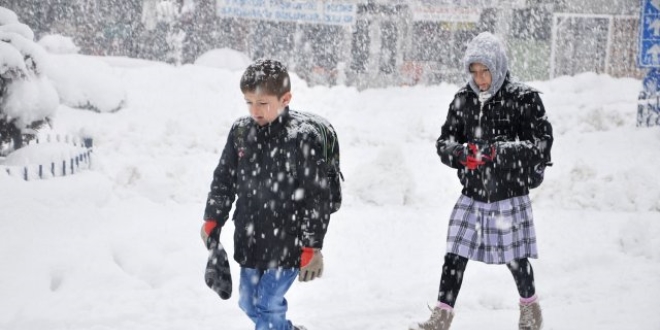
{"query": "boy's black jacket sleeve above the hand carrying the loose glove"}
[(223, 187)]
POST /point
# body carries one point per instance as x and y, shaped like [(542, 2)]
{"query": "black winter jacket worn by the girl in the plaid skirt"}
[(514, 120)]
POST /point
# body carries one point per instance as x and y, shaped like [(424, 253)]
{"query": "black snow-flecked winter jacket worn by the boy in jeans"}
[(277, 173)]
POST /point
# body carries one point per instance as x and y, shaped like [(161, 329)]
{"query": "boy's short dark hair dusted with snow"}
[(266, 76)]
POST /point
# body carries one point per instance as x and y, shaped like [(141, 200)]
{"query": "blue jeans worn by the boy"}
[(261, 296)]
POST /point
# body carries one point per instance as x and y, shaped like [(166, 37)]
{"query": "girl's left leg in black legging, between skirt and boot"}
[(451, 279)]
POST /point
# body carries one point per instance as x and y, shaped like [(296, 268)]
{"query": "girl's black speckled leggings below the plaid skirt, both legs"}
[(454, 267)]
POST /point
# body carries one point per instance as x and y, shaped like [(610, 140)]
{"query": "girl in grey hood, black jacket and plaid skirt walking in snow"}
[(496, 134)]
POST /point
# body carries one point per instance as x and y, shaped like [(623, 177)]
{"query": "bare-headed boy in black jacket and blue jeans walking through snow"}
[(273, 163)]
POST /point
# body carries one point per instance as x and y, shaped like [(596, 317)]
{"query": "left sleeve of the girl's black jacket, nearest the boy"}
[(450, 143)]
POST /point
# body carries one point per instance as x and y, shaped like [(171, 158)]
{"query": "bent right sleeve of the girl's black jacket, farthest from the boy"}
[(534, 139)]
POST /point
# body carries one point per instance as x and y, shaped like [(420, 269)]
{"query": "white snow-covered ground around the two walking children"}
[(117, 246)]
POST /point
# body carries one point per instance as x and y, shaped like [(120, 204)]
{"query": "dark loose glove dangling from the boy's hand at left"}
[(218, 275)]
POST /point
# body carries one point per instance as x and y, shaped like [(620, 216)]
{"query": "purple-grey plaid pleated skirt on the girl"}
[(494, 233)]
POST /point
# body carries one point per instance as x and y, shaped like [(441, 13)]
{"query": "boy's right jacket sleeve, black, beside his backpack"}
[(314, 192)]
